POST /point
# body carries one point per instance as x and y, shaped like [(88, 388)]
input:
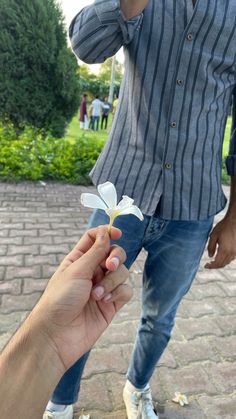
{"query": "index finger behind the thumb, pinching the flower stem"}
[(86, 242)]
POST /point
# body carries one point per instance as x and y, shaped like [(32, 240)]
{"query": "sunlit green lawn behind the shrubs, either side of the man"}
[(74, 130)]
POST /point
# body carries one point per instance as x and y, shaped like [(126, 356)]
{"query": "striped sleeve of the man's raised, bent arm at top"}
[(100, 30)]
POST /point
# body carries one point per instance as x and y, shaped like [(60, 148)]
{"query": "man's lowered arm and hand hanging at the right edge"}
[(222, 243)]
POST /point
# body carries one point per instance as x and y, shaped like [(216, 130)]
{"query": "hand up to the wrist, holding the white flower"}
[(83, 296)]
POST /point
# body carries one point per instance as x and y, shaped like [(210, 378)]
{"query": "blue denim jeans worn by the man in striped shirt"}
[(174, 252)]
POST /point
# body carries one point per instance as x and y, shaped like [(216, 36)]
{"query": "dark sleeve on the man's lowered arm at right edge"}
[(231, 158)]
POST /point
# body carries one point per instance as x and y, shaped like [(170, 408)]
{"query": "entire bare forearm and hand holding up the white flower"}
[(65, 323)]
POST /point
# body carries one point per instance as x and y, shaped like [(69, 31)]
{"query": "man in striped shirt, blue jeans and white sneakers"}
[(164, 151)]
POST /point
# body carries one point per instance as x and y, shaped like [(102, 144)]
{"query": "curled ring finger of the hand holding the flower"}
[(111, 281)]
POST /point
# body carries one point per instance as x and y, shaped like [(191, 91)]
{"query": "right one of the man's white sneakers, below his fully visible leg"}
[(139, 404)]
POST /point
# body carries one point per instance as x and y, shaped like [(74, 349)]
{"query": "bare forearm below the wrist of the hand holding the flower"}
[(28, 367)]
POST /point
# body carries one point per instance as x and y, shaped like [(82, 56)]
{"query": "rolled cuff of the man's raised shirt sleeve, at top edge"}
[(109, 12)]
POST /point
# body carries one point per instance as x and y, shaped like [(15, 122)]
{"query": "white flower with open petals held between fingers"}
[(108, 202)]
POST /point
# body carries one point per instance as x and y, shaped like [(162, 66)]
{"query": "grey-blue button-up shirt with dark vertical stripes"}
[(165, 145)]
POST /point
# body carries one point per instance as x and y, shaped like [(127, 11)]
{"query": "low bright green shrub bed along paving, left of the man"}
[(31, 156)]
